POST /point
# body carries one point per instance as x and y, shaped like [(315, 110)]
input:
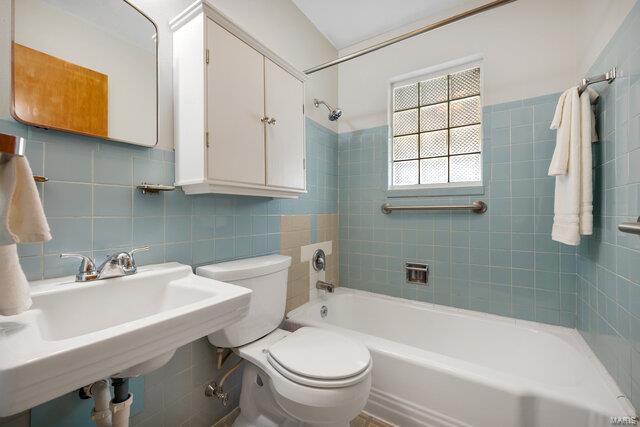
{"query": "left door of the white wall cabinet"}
[(235, 105)]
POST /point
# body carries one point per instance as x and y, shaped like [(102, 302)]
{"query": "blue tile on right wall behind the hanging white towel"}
[(608, 267)]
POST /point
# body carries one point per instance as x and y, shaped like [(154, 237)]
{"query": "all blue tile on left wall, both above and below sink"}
[(94, 208)]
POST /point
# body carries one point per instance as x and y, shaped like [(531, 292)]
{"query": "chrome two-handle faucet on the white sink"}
[(116, 265)]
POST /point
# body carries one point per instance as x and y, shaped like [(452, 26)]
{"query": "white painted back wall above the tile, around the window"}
[(528, 48)]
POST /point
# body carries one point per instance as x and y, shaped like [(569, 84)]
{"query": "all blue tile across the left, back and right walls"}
[(503, 262)]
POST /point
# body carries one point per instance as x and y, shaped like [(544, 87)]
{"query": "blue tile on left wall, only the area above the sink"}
[(94, 208)]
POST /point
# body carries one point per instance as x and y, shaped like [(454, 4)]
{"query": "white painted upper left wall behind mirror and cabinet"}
[(277, 23)]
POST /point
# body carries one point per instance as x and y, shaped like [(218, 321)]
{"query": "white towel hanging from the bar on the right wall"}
[(572, 166)]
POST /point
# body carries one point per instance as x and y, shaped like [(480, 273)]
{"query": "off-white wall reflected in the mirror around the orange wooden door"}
[(131, 69)]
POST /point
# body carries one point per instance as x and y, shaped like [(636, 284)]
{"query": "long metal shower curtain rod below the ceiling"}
[(421, 30)]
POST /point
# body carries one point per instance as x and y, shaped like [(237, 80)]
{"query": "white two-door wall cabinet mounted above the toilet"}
[(238, 108)]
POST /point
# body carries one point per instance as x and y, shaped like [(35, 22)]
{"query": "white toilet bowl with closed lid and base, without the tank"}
[(333, 397)]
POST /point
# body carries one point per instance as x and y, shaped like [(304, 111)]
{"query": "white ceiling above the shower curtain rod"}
[(346, 22)]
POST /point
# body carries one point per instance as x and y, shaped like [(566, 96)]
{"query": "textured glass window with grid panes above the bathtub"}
[(437, 130)]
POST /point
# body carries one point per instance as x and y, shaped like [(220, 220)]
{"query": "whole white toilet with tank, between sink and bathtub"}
[(310, 377)]
